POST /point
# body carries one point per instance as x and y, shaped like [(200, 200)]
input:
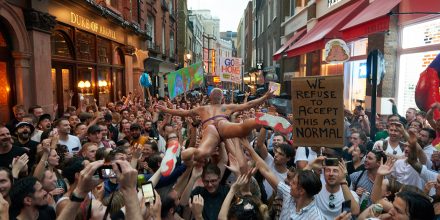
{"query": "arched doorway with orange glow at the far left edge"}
[(7, 88)]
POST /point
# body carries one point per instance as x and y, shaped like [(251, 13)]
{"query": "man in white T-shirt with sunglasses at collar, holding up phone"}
[(335, 191)]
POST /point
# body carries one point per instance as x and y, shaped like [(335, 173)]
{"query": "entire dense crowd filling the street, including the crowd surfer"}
[(206, 159)]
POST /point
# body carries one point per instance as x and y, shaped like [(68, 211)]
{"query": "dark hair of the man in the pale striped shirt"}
[(309, 181)]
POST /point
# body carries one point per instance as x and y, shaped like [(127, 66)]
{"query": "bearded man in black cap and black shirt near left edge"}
[(24, 130)]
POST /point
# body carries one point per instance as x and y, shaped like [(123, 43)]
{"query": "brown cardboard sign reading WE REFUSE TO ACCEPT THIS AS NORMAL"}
[(318, 111)]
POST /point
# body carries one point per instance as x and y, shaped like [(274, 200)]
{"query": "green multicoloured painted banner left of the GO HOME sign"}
[(185, 79)]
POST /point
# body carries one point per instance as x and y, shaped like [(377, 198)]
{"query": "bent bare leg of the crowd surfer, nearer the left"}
[(207, 145)]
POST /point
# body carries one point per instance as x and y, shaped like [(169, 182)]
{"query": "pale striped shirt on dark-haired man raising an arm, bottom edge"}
[(288, 212)]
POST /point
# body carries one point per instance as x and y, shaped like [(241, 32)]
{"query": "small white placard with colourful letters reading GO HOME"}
[(230, 69)]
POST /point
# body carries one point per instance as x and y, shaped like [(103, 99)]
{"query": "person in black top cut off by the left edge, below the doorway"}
[(7, 151)]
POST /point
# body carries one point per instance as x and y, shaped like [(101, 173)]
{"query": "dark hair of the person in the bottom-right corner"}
[(418, 206)]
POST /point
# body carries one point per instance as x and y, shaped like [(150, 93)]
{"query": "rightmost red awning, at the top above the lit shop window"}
[(373, 19)]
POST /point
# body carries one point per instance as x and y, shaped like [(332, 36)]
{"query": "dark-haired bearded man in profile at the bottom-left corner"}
[(29, 200)]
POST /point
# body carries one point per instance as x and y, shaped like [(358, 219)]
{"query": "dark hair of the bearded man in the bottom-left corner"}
[(21, 189)]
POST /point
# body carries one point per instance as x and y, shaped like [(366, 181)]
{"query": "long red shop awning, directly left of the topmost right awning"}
[(325, 29)]
